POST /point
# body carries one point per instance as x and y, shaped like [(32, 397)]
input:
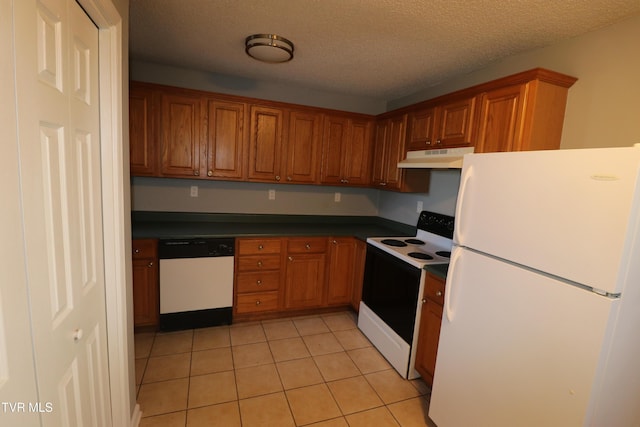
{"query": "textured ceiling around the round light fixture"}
[(378, 48)]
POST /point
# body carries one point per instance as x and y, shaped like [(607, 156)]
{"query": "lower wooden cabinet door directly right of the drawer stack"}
[(304, 280)]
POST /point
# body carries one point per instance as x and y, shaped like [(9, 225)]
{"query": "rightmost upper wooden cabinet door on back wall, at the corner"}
[(357, 154)]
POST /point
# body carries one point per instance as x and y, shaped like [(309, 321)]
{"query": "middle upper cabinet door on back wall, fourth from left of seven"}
[(265, 143)]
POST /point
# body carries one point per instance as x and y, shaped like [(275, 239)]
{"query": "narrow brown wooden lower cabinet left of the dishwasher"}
[(146, 308)]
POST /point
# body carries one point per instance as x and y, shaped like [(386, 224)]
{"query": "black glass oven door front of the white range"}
[(390, 290)]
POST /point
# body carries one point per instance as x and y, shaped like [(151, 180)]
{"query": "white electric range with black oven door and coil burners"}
[(393, 287)]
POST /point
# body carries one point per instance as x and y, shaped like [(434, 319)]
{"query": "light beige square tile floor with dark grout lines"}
[(304, 371)]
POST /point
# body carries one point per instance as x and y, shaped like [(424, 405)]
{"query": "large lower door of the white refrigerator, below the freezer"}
[(516, 348)]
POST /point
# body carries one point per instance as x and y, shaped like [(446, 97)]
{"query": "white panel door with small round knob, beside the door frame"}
[(59, 139)]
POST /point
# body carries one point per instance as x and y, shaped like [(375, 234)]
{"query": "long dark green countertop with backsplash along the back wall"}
[(171, 225)]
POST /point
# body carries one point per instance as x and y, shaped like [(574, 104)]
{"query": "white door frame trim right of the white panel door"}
[(116, 207)]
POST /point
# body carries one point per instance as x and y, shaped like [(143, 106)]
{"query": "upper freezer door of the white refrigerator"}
[(571, 213)]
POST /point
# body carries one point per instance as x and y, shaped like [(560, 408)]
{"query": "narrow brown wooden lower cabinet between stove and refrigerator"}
[(430, 321)]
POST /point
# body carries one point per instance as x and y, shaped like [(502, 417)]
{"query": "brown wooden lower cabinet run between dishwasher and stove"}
[(309, 273)]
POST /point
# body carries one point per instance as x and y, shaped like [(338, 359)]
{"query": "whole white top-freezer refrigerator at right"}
[(541, 323)]
